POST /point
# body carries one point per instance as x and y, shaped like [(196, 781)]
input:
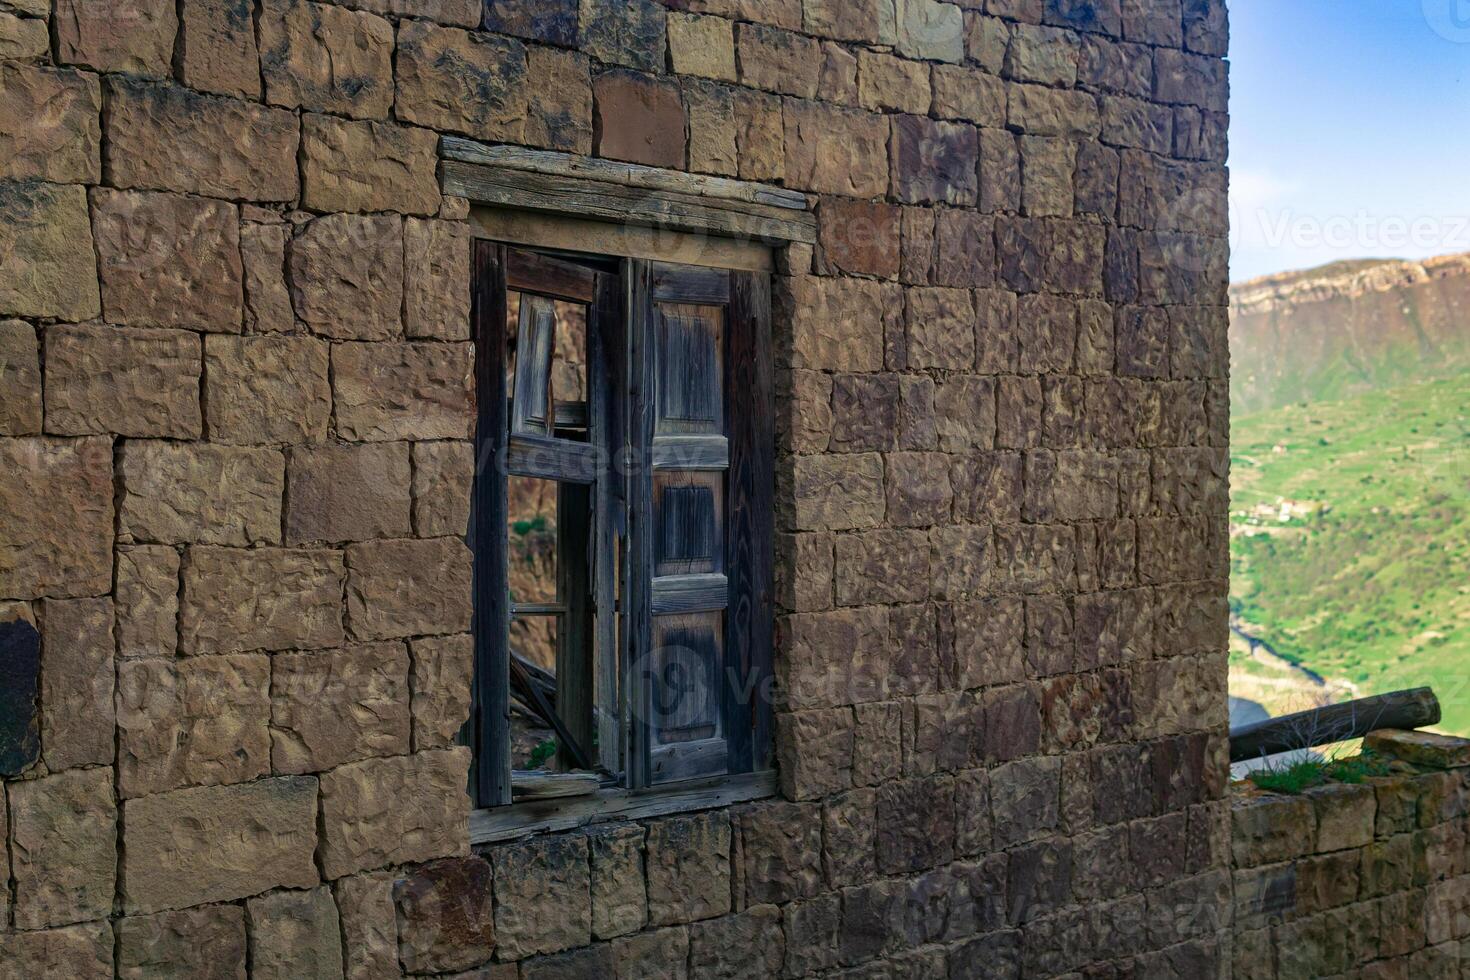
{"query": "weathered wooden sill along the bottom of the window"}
[(568, 813)]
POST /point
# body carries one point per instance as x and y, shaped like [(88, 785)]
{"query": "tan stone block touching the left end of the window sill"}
[(395, 812)]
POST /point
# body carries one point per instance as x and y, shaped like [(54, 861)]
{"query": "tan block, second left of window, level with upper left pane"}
[(267, 390)]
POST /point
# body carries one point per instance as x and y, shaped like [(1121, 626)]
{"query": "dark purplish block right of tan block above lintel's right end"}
[(934, 162)]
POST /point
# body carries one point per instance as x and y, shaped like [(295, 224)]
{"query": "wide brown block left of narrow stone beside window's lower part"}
[(333, 707)]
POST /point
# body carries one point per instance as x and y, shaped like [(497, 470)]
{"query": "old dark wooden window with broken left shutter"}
[(623, 524)]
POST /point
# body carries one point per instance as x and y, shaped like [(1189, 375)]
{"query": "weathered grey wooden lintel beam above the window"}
[(526, 190)]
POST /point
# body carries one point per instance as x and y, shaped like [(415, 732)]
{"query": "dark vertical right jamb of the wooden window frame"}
[(750, 408)]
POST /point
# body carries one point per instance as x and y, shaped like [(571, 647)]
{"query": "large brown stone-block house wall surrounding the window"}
[(234, 464)]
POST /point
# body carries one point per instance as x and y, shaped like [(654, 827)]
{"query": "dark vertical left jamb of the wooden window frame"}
[(489, 534)]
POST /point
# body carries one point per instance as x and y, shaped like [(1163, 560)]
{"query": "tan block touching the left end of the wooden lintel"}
[(368, 167)]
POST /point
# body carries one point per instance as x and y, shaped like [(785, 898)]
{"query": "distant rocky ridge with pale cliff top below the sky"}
[(1347, 328)]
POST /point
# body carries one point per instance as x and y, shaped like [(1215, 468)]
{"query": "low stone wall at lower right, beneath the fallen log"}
[(1365, 881)]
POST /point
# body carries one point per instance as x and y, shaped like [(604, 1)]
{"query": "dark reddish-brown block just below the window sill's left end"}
[(445, 916)]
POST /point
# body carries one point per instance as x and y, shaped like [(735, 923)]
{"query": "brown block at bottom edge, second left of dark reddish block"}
[(295, 937)]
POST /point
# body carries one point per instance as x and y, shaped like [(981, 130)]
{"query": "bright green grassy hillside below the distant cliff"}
[(1375, 591)]
